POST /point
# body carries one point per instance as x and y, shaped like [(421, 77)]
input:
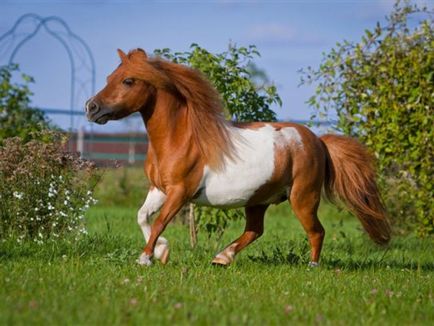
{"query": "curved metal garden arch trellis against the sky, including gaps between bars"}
[(82, 63)]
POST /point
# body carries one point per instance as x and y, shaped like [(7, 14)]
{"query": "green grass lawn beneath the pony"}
[(96, 280)]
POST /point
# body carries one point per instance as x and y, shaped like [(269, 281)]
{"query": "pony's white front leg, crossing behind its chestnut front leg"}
[(154, 200)]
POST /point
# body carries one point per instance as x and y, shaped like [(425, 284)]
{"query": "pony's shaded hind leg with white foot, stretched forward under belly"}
[(253, 230)]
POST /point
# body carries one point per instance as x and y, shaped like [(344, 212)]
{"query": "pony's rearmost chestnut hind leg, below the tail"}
[(305, 201)]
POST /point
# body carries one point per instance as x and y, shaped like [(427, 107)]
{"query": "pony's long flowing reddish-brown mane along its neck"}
[(210, 129)]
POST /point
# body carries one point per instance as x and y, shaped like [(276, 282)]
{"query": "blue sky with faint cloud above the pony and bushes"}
[(290, 35)]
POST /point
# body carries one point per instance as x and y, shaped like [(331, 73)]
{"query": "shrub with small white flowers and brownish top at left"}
[(44, 190)]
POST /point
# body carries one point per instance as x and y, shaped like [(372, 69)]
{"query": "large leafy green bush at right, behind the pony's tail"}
[(382, 89)]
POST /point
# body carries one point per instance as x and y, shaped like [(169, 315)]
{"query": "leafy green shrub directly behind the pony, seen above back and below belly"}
[(247, 96)]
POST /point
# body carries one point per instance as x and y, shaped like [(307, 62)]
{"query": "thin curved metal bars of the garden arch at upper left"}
[(65, 42)]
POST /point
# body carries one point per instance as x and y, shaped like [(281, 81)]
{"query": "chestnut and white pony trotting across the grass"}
[(196, 155)]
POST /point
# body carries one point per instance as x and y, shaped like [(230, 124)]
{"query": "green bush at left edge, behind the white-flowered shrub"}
[(17, 118)]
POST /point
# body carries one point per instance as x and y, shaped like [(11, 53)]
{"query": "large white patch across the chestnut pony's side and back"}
[(252, 166)]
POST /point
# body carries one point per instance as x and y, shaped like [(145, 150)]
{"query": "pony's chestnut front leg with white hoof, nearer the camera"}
[(174, 201)]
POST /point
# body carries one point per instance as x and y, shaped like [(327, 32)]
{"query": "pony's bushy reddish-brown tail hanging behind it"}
[(350, 176)]
